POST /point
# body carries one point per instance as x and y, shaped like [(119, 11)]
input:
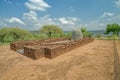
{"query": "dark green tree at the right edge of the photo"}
[(114, 28)]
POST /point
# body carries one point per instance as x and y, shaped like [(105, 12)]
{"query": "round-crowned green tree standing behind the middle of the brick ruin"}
[(49, 30)]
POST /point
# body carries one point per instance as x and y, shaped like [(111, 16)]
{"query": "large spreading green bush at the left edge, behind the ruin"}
[(14, 34)]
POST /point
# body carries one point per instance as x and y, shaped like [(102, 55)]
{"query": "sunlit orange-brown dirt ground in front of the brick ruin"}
[(93, 61)]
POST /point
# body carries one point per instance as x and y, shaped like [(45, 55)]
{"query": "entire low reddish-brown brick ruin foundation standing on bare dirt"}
[(49, 48)]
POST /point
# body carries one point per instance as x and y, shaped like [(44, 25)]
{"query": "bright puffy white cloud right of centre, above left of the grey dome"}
[(68, 20)]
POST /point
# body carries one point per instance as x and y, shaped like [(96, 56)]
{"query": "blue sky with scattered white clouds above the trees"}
[(67, 14)]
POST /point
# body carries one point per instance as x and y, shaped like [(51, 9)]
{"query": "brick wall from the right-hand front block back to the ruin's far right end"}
[(54, 51)]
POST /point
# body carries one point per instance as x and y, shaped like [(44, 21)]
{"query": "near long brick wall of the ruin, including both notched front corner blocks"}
[(53, 50)]
